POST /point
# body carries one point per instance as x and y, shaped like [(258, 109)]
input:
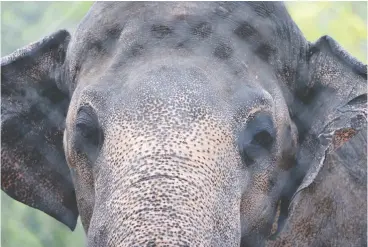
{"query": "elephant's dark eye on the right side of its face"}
[(257, 139)]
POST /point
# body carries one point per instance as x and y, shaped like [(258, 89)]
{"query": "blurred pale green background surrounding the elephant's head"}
[(25, 22)]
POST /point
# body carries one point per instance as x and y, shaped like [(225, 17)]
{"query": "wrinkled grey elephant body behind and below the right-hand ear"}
[(331, 212)]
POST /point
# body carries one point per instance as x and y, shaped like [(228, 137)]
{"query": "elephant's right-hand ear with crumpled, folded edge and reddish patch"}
[(330, 105)]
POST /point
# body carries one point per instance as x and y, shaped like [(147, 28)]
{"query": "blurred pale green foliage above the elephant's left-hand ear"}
[(25, 22)]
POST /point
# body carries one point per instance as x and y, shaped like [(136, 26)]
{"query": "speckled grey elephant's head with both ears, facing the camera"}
[(182, 124)]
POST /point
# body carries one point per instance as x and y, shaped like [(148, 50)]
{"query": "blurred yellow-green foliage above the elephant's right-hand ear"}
[(346, 22)]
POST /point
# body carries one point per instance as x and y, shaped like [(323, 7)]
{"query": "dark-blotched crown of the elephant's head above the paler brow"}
[(139, 33)]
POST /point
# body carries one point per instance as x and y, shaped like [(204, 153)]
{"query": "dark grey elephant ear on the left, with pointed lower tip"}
[(34, 103)]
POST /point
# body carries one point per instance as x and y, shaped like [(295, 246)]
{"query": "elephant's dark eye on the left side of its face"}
[(89, 135)]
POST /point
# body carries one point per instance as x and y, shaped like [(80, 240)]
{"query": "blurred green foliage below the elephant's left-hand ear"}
[(25, 226)]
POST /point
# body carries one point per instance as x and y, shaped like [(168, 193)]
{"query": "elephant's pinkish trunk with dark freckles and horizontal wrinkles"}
[(166, 200)]
